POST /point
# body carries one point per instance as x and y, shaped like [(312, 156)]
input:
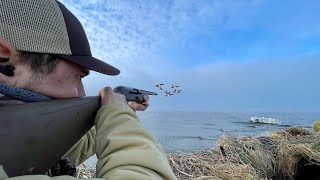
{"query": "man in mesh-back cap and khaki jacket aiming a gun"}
[(45, 46)]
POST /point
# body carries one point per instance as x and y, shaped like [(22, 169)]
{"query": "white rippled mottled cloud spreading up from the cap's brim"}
[(128, 34)]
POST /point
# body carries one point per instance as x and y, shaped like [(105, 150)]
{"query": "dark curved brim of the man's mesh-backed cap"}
[(92, 64)]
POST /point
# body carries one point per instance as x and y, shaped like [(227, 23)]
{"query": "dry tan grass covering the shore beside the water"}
[(278, 156)]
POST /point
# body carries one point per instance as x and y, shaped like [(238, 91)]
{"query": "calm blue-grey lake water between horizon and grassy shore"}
[(183, 131)]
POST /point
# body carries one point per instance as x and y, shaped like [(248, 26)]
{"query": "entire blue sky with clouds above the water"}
[(226, 55)]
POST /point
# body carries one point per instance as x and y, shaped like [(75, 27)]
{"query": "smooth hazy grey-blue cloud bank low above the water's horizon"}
[(283, 85)]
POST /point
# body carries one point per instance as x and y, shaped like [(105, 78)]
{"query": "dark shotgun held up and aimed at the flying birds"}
[(34, 136)]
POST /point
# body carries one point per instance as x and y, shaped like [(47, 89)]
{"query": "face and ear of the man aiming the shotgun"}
[(63, 82)]
